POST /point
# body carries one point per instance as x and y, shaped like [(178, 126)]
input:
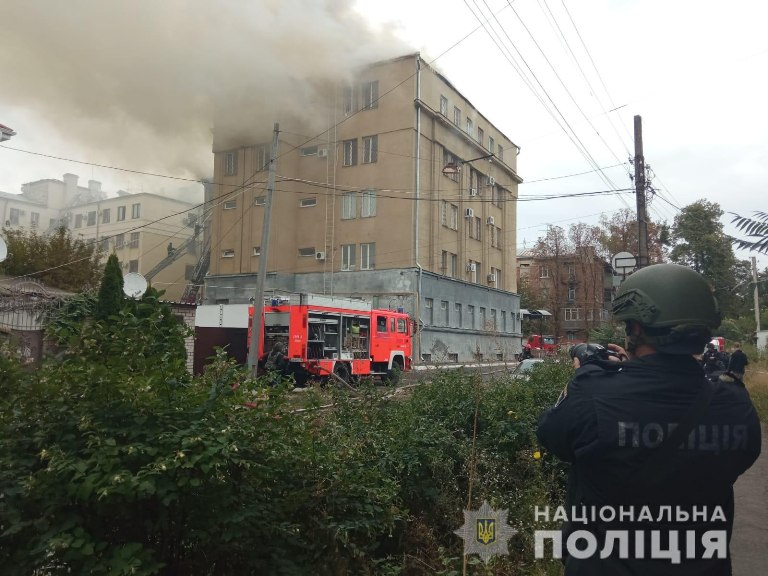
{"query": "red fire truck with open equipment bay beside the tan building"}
[(323, 335)]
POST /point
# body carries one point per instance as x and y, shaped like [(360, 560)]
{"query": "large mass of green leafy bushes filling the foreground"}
[(113, 461)]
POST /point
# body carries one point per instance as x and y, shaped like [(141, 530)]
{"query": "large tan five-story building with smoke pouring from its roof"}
[(407, 199)]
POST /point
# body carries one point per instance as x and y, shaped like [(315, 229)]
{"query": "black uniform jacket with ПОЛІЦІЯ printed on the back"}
[(611, 419)]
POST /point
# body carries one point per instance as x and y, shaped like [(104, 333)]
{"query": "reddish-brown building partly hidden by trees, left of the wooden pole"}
[(577, 289)]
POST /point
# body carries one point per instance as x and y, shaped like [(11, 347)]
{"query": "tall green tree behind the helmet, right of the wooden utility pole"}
[(700, 243)]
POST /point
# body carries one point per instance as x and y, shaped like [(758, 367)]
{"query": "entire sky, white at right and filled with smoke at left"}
[(130, 85)]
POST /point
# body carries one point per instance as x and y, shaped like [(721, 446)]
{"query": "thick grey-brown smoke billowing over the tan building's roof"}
[(141, 83)]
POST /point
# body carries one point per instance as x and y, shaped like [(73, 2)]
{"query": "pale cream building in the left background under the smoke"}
[(126, 224)]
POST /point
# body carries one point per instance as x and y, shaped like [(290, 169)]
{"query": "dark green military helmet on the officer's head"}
[(667, 296)]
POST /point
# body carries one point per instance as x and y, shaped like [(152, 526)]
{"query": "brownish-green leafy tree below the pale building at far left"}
[(57, 259)]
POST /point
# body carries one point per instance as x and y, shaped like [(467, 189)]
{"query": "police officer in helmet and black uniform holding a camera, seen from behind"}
[(648, 434)]
